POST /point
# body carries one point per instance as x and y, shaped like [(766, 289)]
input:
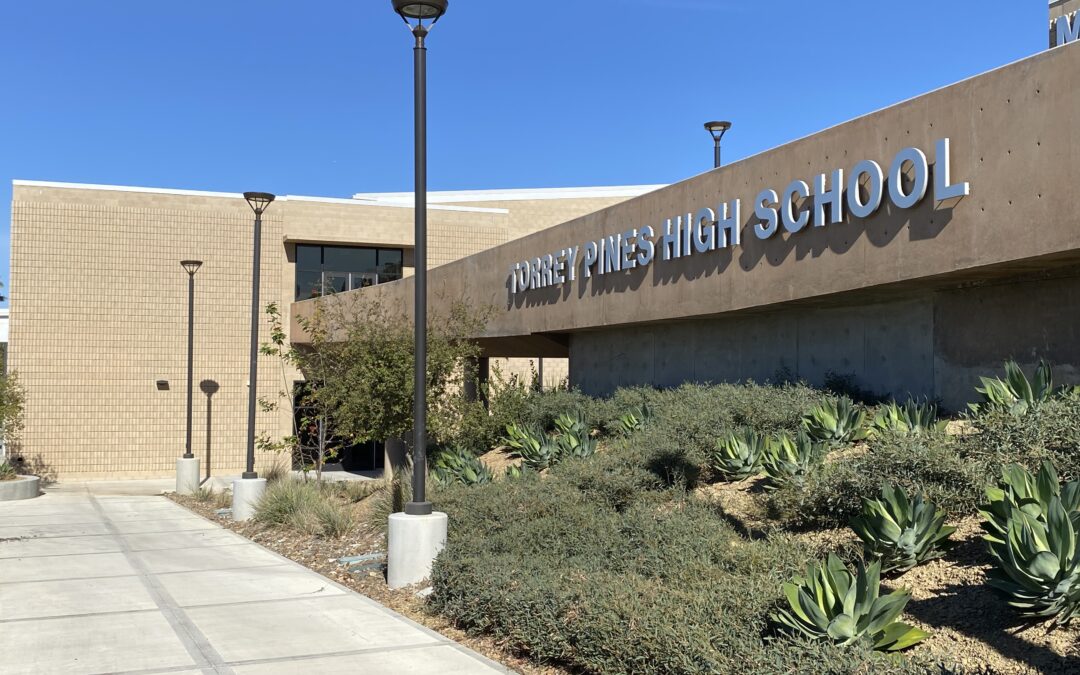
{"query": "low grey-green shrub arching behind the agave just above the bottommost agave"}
[(833, 495)]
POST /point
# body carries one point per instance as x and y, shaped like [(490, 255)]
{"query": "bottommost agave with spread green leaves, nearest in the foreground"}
[(834, 604)]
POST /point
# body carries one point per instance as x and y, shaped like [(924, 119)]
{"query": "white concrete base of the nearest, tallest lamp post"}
[(413, 543)]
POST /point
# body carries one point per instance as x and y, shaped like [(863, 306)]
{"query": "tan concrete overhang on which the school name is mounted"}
[(1014, 140)]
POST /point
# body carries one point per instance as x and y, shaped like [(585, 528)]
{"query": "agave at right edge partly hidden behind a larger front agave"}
[(1032, 494)]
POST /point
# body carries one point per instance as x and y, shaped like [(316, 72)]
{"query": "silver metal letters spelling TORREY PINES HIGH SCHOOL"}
[(706, 229)]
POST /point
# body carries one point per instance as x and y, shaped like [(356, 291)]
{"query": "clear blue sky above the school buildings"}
[(316, 98)]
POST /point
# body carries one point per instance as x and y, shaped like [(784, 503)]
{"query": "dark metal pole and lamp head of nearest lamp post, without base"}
[(415, 15)]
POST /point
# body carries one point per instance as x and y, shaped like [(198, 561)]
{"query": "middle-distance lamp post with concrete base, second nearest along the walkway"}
[(248, 491)]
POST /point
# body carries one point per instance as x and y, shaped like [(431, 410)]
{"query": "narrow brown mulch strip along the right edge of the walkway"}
[(322, 557)]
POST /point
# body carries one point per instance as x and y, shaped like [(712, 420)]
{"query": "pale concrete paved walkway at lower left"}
[(94, 583)]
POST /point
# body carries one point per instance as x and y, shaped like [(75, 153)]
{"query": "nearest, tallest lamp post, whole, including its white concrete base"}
[(416, 536)]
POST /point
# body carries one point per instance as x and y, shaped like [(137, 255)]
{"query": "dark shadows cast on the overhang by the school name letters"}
[(924, 222)]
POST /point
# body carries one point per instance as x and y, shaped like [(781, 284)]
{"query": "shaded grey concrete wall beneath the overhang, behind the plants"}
[(936, 344)]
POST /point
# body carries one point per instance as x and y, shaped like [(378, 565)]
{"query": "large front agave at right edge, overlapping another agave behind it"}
[(1037, 562)]
